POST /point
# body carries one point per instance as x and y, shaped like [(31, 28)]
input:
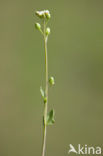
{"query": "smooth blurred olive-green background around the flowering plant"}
[(75, 51)]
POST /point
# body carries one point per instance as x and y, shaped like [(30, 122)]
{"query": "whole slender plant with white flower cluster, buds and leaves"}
[(48, 118)]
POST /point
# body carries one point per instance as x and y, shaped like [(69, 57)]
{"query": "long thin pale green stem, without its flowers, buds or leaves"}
[(46, 92)]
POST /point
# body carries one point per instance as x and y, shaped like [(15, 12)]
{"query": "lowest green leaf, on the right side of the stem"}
[(50, 118)]
